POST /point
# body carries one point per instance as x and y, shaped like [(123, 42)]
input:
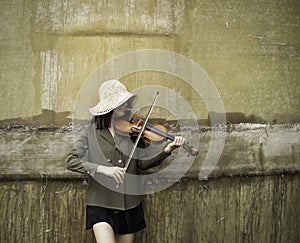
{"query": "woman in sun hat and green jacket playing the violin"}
[(102, 153)]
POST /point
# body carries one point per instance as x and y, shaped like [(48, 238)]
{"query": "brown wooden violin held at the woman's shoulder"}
[(153, 133)]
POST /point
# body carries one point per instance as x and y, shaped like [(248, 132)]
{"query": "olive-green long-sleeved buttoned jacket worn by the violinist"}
[(94, 147)]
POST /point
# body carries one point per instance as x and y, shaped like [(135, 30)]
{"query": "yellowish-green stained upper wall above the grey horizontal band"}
[(250, 50)]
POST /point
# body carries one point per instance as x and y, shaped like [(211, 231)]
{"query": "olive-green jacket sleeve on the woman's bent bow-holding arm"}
[(78, 158)]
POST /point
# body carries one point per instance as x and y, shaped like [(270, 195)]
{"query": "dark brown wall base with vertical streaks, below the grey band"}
[(245, 209)]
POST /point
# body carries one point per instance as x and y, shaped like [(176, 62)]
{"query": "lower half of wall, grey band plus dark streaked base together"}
[(252, 195)]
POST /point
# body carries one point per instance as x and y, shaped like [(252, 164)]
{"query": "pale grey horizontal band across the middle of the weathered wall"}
[(36, 153)]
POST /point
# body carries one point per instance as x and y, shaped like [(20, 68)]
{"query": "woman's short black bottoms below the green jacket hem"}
[(122, 221)]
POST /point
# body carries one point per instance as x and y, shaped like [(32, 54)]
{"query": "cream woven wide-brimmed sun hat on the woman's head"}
[(112, 93)]
